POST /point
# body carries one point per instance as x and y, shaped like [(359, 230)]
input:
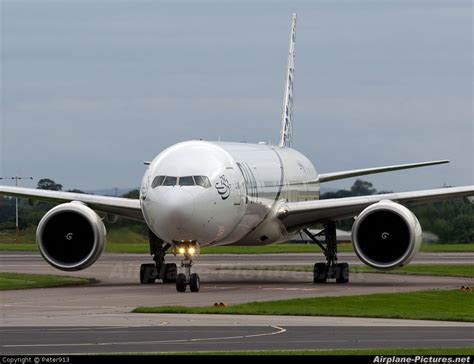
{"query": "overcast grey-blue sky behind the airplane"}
[(91, 89)]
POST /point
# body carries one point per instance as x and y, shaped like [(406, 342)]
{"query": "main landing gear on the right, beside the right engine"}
[(331, 269)]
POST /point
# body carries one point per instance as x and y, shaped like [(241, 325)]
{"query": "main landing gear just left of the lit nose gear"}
[(149, 273)]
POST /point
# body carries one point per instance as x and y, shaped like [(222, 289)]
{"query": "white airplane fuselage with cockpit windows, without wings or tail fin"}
[(246, 184)]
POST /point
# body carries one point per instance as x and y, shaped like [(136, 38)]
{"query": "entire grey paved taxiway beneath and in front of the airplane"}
[(97, 318)]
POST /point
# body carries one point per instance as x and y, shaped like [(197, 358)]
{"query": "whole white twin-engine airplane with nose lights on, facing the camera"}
[(201, 193)]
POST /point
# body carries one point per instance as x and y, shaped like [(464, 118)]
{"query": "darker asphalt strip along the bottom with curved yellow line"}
[(32, 340)]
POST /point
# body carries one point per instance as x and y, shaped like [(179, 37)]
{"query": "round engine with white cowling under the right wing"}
[(386, 235)]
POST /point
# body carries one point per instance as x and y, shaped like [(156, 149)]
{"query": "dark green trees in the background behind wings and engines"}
[(452, 221)]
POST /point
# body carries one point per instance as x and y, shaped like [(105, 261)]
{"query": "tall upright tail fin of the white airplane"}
[(286, 131)]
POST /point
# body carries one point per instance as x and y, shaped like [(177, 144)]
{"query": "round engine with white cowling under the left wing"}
[(71, 236)]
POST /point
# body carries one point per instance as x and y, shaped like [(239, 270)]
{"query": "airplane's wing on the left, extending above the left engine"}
[(113, 205)]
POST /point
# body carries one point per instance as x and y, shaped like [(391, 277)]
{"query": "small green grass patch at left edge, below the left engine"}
[(9, 281)]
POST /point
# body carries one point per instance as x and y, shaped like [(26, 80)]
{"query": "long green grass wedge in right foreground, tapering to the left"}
[(452, 305)]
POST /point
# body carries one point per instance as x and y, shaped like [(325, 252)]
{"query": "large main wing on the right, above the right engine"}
[(297, 215)]
